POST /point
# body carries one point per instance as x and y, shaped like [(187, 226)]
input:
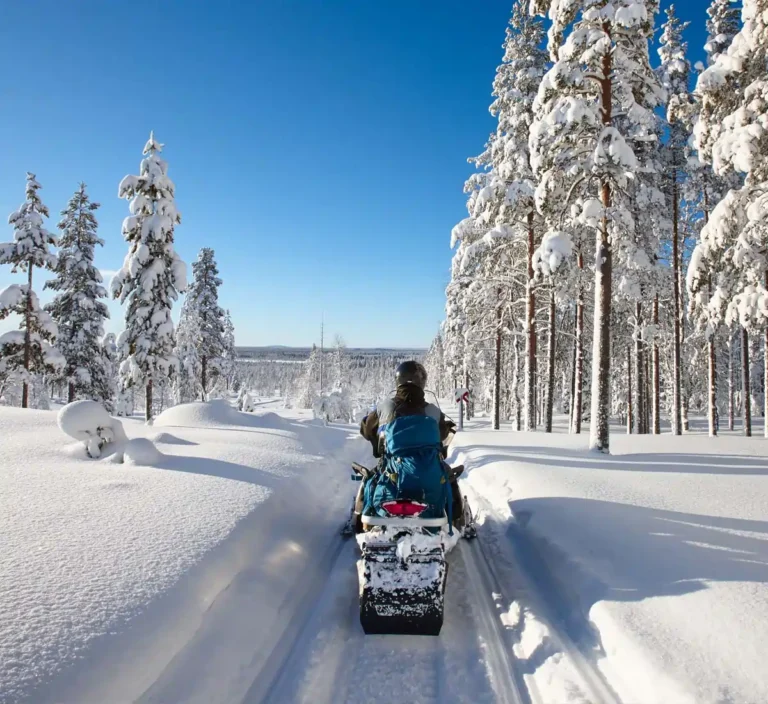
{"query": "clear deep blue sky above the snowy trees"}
[(319, 146)]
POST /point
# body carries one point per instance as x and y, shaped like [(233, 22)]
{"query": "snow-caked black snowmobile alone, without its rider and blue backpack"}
[(402, 569)]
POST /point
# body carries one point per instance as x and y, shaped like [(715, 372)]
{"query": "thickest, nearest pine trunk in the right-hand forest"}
[(601, 353)]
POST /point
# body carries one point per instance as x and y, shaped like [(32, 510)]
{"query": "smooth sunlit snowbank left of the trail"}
[(107, 570)]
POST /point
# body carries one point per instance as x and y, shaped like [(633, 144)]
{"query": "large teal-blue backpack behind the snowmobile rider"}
[(411, 468)]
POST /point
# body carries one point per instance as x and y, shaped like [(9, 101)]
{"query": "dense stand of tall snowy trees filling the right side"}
[(622, 198)]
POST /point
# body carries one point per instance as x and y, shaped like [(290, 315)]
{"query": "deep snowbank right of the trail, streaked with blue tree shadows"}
[(654, 559)]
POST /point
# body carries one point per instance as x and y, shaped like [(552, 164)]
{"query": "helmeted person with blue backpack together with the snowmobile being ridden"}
[(402, 509)]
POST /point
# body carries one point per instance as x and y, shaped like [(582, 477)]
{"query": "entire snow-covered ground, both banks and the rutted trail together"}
[(218, 574)]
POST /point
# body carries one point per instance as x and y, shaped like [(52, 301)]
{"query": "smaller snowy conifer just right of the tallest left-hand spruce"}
[(203, 304)]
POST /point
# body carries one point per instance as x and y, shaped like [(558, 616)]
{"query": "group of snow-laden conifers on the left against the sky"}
[(61, 350)]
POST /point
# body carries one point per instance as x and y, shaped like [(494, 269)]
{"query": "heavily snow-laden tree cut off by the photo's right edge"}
[(732, 133)]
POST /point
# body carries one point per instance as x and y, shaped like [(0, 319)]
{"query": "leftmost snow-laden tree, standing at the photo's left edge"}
[(28, 250)]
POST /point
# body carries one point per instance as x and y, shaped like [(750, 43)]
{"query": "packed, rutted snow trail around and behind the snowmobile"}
[(477, 658)]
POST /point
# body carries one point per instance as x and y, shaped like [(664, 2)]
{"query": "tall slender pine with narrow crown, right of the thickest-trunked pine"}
[(675, 73)]
